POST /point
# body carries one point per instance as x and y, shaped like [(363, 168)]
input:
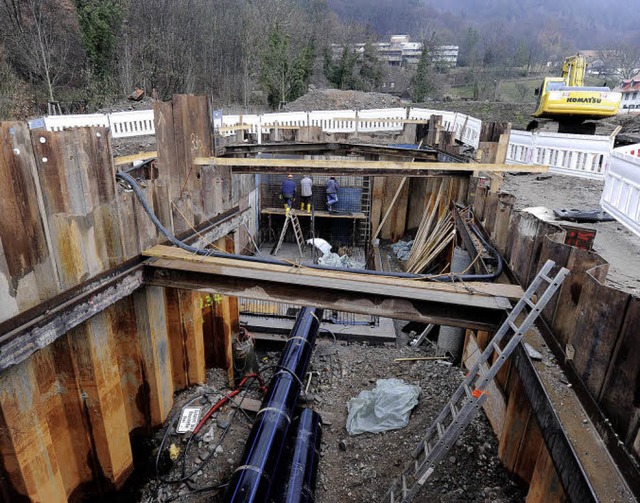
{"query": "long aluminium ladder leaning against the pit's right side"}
[(471, 394)]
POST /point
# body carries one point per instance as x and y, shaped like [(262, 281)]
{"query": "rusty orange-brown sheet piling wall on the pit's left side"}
[(80, 386)]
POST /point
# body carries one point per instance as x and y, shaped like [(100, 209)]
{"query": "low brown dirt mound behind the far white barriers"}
[(334, 99)]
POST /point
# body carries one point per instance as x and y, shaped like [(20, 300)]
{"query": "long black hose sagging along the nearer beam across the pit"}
[(263, 260)]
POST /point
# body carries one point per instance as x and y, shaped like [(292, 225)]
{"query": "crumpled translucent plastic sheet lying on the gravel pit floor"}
[(386, 407)]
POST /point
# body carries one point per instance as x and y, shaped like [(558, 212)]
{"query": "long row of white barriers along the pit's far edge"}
[(140, 122)]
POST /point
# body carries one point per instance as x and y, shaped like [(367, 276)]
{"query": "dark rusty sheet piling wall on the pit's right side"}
[(592, 325)]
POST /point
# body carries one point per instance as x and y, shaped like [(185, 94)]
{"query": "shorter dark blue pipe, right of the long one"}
[(300, 471)]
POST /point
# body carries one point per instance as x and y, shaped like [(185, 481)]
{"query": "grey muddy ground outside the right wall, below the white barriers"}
[(614, 242)]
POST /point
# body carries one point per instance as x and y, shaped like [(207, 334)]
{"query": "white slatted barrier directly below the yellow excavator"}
[(583, 156)]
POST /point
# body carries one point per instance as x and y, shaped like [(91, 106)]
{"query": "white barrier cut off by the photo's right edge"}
[(621, 194)]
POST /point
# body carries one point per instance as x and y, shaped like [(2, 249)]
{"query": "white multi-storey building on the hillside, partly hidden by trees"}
[(400, 51)]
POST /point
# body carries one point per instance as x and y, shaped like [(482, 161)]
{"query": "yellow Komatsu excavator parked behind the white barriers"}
[(567, 99)]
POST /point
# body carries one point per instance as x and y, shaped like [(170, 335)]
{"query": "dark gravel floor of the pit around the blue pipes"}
[(351, 468)]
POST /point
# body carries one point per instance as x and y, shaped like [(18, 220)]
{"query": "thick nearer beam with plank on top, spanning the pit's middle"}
[(470, 306)]
